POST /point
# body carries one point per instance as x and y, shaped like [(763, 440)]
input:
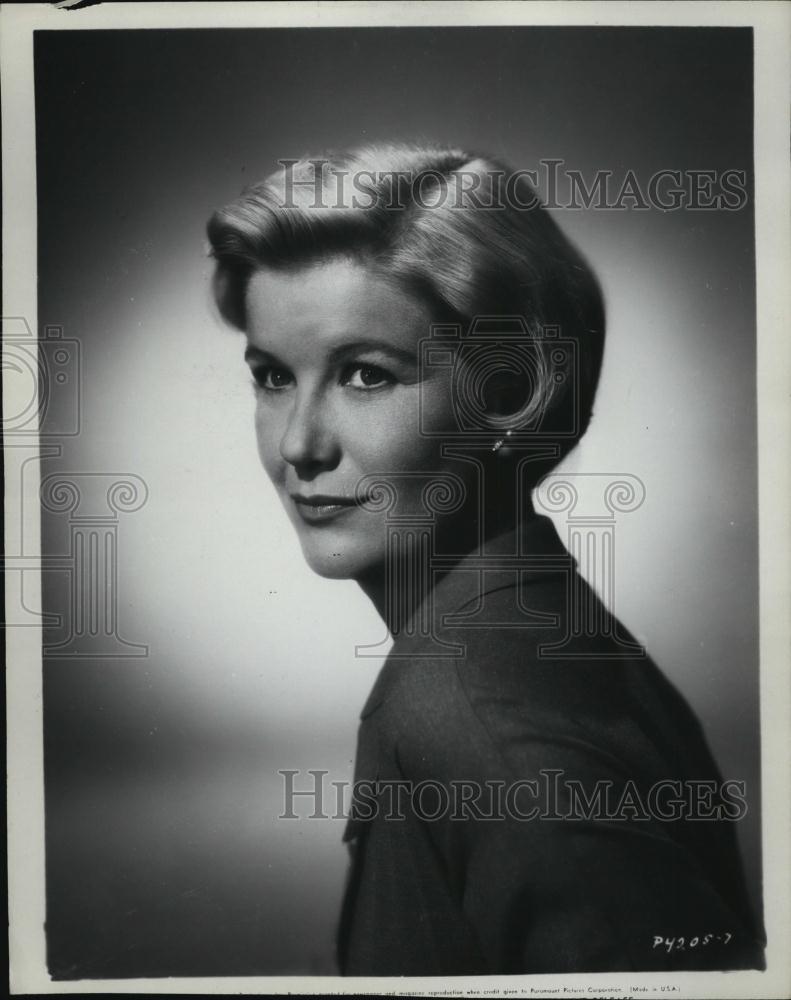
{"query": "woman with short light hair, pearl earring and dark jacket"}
[(530, 790)]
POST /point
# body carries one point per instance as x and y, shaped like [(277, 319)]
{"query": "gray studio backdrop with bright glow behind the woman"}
[(204, 656)]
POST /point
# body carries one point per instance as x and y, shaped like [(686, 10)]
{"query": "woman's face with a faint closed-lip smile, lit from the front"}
[(334, 352)]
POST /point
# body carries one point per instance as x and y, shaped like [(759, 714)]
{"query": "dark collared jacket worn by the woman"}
[(584, 870)]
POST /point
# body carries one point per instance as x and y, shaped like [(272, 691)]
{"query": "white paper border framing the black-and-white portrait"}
[(771, 23)]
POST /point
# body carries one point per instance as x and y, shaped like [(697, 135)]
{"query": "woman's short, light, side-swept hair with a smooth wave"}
[(461, 231)]
